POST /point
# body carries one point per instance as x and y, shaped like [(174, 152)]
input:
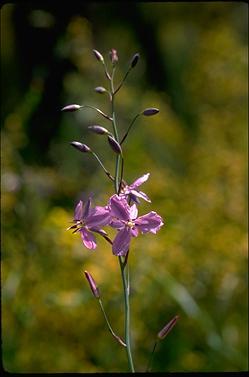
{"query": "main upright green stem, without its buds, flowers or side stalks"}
[(123, 264)]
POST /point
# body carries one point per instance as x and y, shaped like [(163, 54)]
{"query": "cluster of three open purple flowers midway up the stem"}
[(119, 214)]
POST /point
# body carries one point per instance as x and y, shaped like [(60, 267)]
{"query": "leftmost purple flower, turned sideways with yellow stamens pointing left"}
[(88, 220)]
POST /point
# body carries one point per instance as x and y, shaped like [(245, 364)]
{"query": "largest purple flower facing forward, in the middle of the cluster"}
[(127, 223)]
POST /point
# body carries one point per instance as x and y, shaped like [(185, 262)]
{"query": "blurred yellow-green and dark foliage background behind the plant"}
[(194, 68)]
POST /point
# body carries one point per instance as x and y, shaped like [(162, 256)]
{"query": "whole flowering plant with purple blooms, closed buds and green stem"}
[(121, 212)]
